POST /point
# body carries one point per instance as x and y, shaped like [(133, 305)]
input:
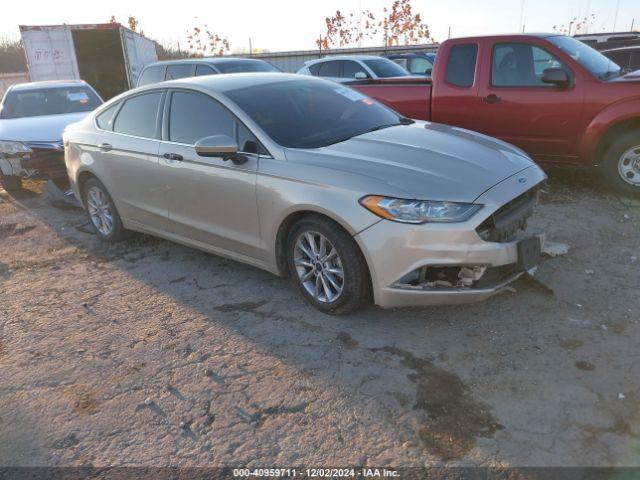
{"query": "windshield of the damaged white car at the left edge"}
[(48, 101)]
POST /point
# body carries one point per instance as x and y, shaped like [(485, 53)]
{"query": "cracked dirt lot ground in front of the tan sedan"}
[(150, 353)]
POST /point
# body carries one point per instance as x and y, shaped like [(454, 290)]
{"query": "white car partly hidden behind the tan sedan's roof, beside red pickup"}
[(347, 68)]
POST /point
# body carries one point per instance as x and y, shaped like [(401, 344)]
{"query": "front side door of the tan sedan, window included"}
[(211, 201)]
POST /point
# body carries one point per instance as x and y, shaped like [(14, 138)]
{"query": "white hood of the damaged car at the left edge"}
[(45, 128)]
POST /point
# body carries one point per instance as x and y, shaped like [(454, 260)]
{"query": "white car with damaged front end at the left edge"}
[(32, 118)]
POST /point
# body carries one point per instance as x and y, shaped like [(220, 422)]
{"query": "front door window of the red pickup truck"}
[(521, 65)]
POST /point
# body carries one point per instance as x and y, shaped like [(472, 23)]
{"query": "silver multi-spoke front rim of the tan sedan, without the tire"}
[(319, 267)]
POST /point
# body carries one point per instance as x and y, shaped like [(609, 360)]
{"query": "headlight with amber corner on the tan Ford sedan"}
[(419, 211)]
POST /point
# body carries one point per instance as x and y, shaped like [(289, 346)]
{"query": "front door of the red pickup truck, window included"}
[(516, 106)]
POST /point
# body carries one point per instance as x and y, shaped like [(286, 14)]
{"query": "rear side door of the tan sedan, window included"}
[(128, 145)]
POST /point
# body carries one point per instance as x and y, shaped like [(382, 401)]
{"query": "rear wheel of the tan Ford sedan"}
[(102, 211)]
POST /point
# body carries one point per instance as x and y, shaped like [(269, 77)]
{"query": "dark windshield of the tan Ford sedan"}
[(312, 113)]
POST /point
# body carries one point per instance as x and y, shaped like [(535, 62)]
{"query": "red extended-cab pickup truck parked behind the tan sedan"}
[(553, 96)]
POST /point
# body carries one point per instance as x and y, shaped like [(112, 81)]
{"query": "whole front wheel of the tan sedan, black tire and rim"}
[(327, 266)]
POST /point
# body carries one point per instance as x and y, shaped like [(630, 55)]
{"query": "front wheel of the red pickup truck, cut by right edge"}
[(622, 164)]
